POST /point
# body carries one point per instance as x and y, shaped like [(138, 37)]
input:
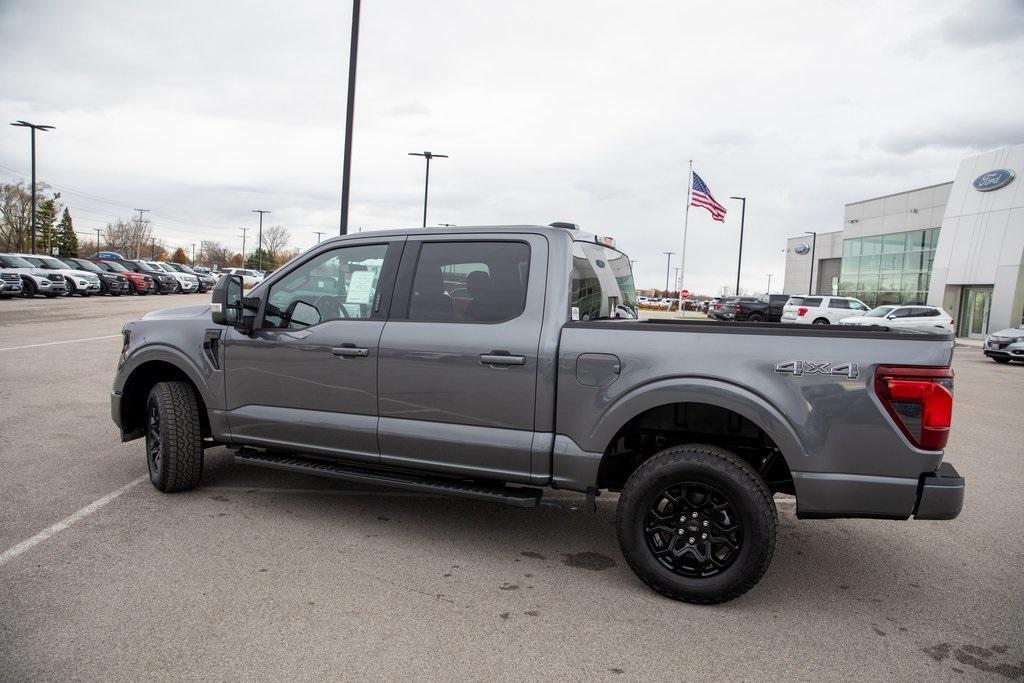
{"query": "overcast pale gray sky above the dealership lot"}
[(586, 112)]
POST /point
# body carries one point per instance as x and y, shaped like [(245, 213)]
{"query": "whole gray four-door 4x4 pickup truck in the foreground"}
[(492, 363)]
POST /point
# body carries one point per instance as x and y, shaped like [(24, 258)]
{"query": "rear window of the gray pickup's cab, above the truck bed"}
[(603, 283)]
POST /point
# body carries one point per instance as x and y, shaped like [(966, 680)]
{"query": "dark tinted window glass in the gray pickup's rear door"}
[(471, 282)]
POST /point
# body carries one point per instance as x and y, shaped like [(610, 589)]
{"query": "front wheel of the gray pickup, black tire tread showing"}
[(174, 438)]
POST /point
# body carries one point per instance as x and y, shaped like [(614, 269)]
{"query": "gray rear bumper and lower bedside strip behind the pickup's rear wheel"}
[(937, 495)]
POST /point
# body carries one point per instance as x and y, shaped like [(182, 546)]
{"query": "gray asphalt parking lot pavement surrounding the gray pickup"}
[(260, 575)]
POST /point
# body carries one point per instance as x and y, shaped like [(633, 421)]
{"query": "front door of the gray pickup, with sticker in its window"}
[(306, 378)]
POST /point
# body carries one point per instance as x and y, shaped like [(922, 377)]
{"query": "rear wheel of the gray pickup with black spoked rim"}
[(704, 474)]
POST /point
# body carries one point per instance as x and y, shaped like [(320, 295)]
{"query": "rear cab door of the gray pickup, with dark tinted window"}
[(459, 356)]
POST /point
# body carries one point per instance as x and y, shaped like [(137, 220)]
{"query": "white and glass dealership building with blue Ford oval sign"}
[(959, 245)]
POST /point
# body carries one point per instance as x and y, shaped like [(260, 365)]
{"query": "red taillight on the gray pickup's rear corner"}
[(920, 401)]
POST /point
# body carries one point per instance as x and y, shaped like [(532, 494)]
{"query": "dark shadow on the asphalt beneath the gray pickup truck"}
[(870, 564)]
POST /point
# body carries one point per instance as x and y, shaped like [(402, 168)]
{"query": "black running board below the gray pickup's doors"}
[(521, 498)]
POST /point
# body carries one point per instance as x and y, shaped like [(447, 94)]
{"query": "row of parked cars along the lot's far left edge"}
[(32, 275)]
